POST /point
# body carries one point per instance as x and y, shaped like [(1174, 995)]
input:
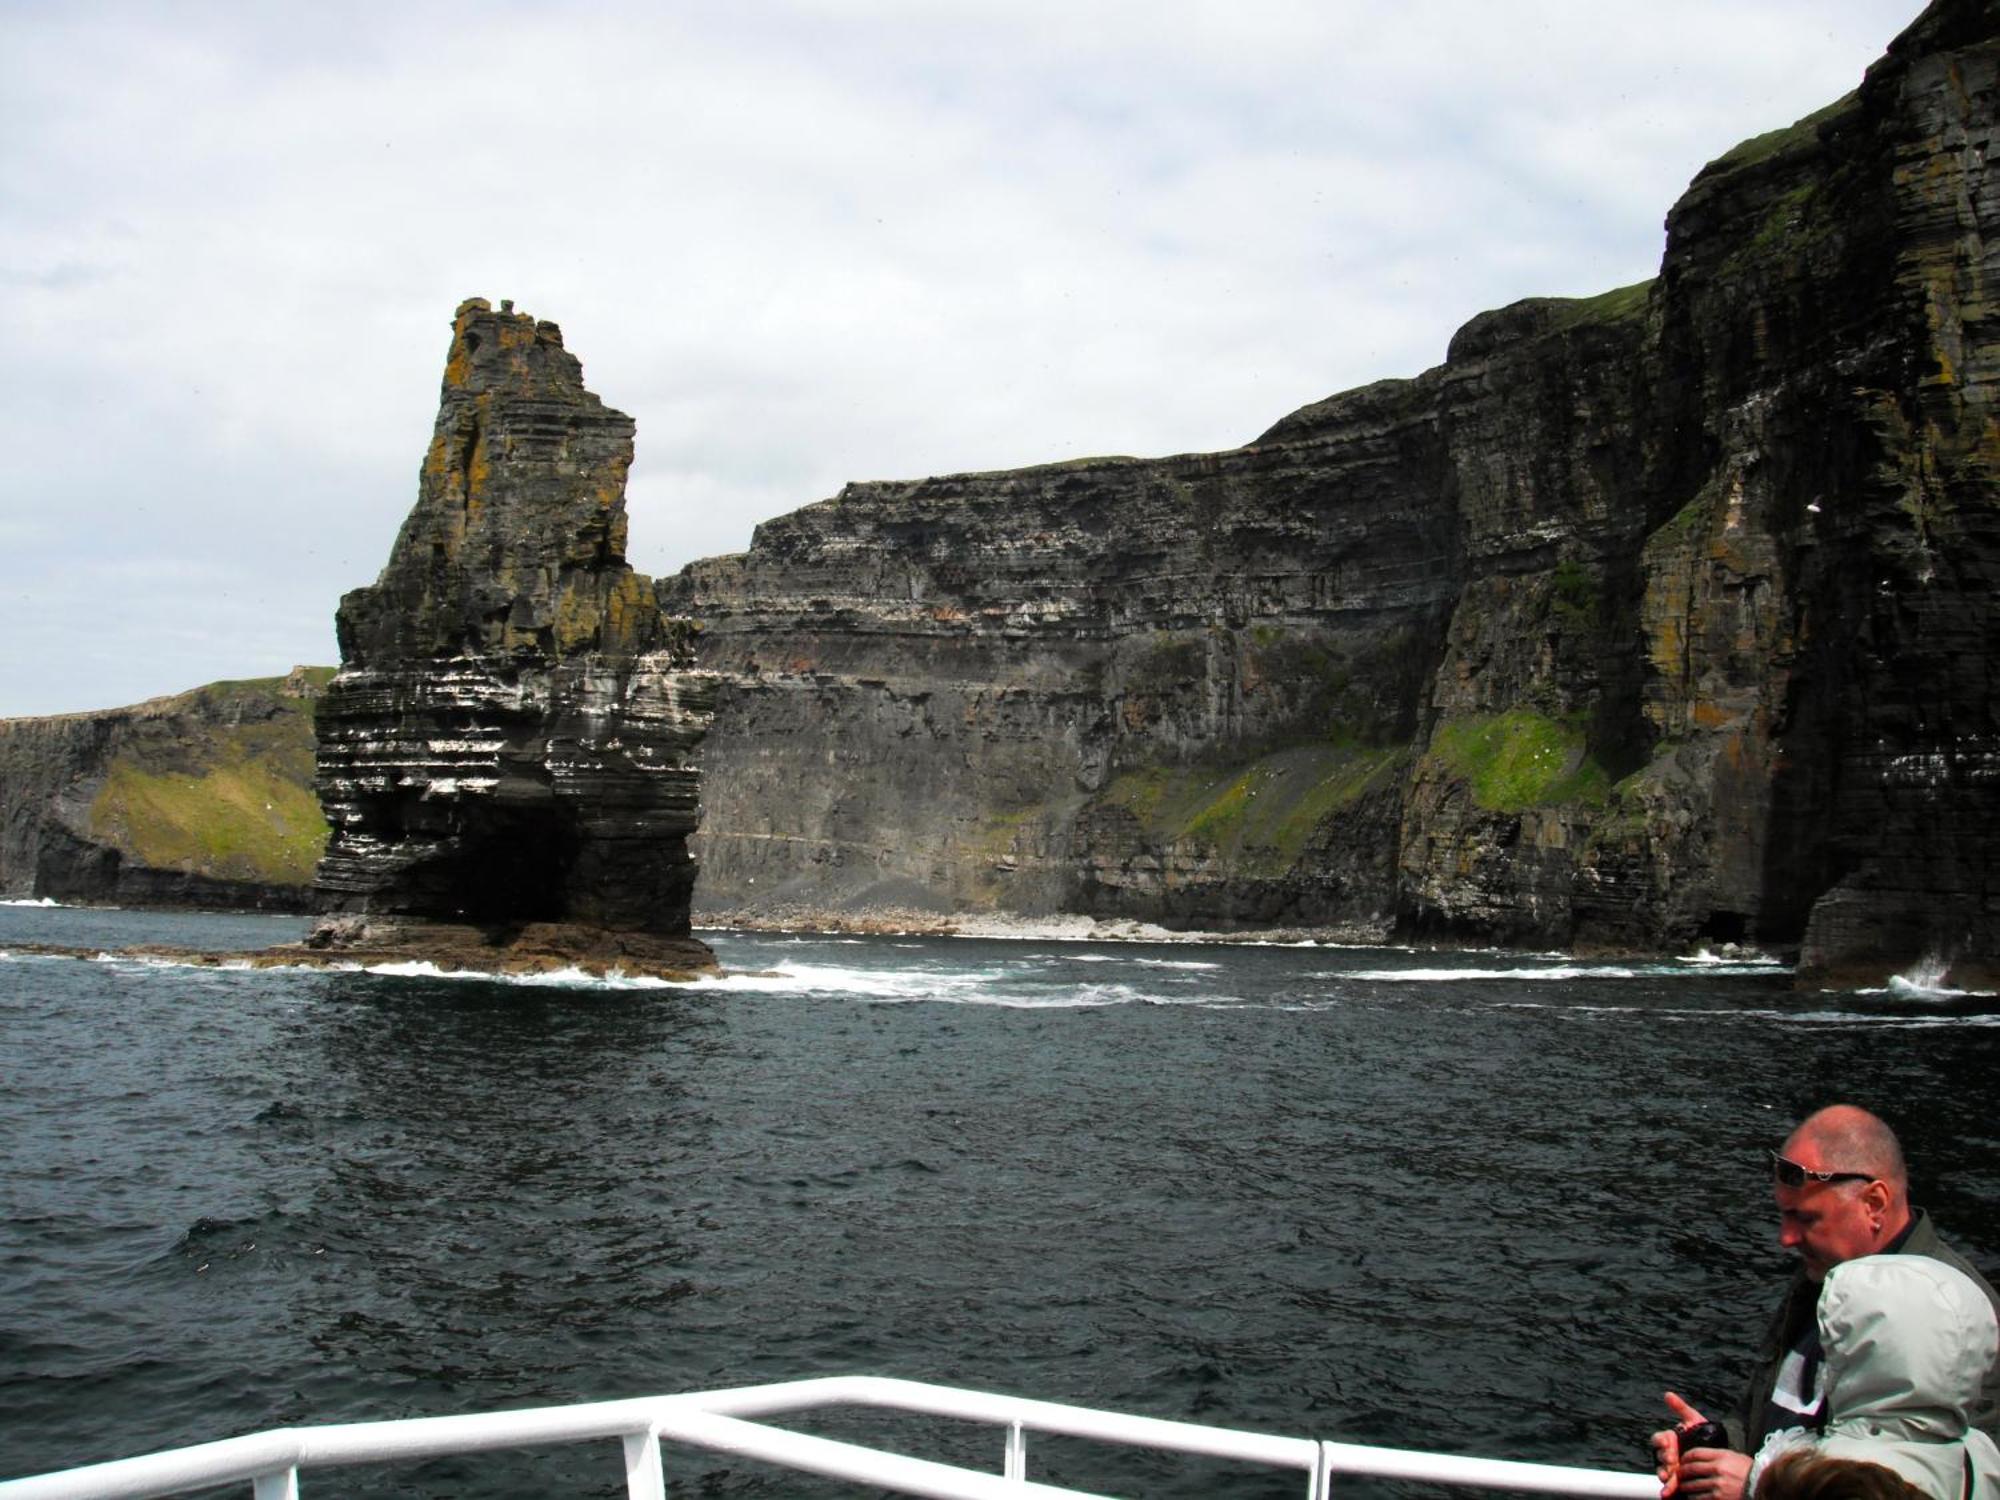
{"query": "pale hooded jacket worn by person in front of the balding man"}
[(1907, 1347)]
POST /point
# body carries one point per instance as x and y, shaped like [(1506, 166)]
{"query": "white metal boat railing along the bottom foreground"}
[(723, 1421)]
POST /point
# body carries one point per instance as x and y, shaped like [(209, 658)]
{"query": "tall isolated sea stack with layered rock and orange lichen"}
[(511, 737)]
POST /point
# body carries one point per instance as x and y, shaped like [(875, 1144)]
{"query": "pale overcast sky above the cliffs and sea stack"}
[(799, 243)]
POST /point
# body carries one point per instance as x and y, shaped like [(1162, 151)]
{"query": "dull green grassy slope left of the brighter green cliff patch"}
[(1261, 815)]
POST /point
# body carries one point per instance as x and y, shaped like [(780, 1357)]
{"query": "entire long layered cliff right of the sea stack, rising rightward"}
[(1645, 621)]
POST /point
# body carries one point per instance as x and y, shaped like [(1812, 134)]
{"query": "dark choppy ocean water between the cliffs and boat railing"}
[(1475, 1203)]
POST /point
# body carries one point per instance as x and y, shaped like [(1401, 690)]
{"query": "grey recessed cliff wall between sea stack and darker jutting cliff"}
[(995, 691)]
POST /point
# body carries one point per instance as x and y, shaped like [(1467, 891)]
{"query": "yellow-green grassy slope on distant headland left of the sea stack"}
[(225, 789)]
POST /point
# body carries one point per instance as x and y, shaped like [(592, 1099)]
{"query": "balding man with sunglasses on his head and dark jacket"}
[(1843, 1193)]
